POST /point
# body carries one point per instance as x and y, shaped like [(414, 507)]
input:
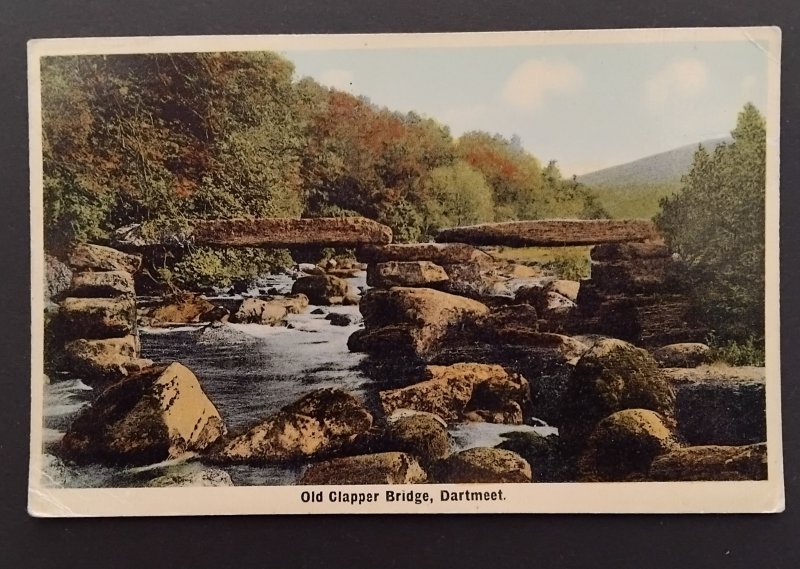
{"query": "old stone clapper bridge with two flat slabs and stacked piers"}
[(634, 293)]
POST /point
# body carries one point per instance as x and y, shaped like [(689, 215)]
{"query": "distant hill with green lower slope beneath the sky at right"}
[(634, 189)]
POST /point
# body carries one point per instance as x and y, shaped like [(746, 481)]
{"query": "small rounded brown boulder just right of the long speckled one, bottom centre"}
[(423, 435)]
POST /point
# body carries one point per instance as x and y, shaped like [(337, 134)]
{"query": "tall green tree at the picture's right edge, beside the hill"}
[(716, 223)]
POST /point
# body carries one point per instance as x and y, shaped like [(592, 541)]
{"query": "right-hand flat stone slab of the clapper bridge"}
[(552, 232)]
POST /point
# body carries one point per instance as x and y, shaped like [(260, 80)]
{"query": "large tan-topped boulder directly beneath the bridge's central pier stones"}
[(412, 320)]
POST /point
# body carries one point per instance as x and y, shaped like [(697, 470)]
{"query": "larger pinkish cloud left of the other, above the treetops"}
[(536, 79)]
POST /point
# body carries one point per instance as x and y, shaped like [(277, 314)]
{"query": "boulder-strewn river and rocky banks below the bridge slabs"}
[(410, 364)]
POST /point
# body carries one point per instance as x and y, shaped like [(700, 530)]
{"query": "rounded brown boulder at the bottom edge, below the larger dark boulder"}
[(625, 443)]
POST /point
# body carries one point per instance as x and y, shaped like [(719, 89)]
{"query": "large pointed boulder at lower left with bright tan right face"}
[(151, 416)]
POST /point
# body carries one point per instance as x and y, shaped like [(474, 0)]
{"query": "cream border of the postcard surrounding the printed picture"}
[(644, 497)]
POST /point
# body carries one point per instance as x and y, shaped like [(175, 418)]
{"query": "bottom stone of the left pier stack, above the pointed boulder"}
[(107, 360)]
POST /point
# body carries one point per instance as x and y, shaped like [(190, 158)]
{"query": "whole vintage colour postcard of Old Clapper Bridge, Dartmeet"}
[(406, 273)]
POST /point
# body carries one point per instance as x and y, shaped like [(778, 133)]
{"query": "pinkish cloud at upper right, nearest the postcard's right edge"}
[(682, 79)]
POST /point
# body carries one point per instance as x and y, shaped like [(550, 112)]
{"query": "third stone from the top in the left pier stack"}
[(97, 318)]
